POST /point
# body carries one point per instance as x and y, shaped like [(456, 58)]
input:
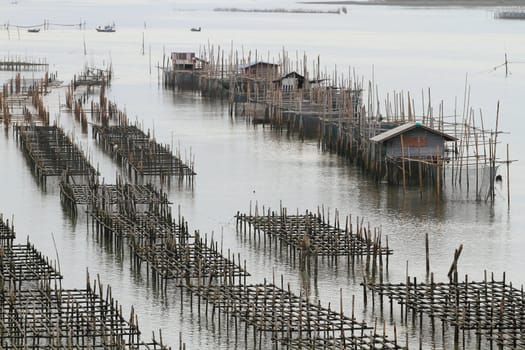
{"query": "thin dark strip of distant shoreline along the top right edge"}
[(424, 3)]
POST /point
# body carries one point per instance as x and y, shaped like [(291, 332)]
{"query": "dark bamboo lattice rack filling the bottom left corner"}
[(55, 318)]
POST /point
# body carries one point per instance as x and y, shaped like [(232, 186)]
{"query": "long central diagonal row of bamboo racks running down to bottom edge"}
[(216, 281)]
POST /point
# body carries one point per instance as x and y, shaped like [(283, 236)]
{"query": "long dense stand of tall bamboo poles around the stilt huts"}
[(331, 106)]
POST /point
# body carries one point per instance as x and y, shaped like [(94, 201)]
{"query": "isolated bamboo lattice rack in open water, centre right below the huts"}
[(311, 235)]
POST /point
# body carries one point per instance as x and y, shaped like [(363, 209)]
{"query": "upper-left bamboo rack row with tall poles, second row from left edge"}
[(137, 151)]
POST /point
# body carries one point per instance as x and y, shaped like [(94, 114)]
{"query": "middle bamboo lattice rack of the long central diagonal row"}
[(167, 248)]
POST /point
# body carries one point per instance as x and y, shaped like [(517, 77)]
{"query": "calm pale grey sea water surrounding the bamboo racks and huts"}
[(238, 164)]
